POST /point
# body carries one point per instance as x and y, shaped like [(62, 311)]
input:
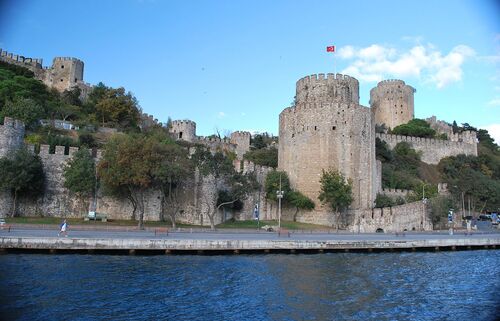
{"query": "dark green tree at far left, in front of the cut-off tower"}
[(22, 174)]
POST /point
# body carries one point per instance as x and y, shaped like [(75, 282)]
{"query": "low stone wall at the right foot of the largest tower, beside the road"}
[(410, 216)]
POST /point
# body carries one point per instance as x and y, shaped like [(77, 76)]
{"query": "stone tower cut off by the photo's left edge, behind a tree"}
[(11, 139)]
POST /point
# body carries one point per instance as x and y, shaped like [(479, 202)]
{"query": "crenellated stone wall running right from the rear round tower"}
[(433, 150)]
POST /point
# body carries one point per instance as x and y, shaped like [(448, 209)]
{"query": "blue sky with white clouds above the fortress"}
[(233, 65)]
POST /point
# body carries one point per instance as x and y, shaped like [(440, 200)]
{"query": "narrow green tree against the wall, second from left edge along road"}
[(79, 175)]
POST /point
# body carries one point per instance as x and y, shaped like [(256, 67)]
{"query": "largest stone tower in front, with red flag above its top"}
[(328, 129)]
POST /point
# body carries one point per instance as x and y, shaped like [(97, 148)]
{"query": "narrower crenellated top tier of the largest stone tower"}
[(327, 88)]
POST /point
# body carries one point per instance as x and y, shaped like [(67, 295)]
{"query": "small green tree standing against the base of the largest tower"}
[(336, 190)]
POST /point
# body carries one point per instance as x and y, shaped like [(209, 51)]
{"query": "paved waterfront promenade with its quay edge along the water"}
[(154, 241)]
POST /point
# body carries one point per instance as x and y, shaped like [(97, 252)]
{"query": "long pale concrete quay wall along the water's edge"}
[(178, 245)]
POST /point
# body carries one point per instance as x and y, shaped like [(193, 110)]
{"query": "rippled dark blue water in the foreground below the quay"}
[(351, 286)]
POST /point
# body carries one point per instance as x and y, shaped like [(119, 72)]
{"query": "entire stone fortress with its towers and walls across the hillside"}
[(326, 128)]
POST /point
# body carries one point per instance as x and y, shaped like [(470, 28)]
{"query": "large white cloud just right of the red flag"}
[(425, 62)]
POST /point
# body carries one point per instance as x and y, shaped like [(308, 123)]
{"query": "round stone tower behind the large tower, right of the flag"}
[(392, 103)]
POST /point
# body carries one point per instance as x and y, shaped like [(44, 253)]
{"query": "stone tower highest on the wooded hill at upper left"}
[(65, 73)]
